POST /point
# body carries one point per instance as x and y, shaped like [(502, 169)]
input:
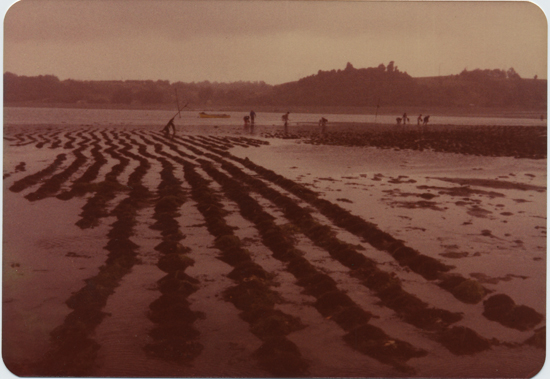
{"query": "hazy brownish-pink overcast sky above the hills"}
[(268, 40)]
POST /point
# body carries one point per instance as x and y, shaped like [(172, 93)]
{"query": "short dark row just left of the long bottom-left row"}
[(96, 207)]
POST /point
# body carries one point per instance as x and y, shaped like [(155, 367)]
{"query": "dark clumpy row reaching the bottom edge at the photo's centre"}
[(252, 295)]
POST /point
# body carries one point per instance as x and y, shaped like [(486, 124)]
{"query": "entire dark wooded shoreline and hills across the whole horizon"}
[(369, 87)]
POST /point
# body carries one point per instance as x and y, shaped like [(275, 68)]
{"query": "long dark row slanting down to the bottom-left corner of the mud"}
[(73, 350)]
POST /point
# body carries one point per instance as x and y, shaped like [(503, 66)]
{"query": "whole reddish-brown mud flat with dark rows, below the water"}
[(363, 251)]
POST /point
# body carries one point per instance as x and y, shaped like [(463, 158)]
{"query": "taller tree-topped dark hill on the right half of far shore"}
[(387, 86)]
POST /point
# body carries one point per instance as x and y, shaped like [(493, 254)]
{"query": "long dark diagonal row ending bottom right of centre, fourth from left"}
[(331, 303)]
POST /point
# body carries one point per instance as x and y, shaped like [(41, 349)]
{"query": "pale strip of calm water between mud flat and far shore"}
[(69, 116)]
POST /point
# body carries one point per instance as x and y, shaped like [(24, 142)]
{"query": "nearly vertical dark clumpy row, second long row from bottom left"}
[(174, 337)]
